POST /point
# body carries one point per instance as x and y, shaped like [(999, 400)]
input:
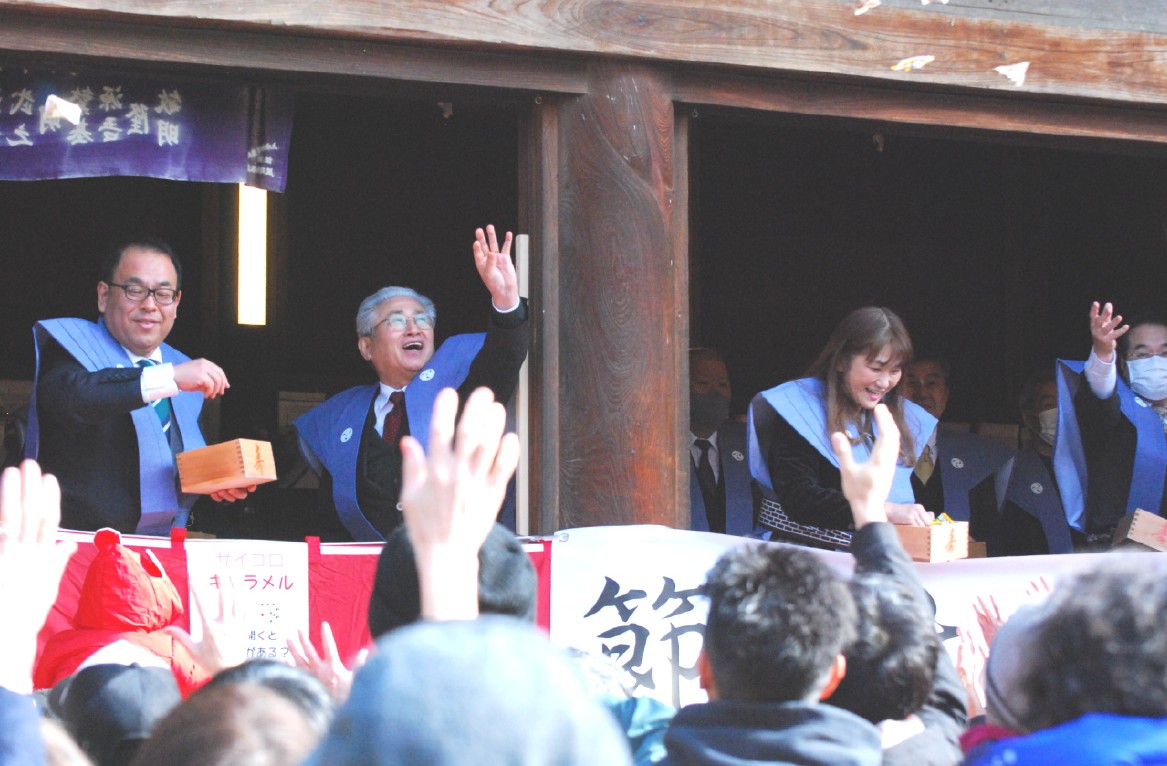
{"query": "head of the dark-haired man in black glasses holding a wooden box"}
[(139, 294)]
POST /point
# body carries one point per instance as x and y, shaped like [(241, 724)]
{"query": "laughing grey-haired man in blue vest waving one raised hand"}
[(353, 441)]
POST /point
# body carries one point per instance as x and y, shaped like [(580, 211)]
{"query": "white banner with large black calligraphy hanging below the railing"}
[(631, 593)]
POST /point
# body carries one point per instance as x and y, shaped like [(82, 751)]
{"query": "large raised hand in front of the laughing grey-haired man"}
[(451, 499)]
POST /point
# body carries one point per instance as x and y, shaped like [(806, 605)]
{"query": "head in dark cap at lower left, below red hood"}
[(111, 709)]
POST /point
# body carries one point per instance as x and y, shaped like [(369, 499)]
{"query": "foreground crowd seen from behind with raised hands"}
[(800, 665)]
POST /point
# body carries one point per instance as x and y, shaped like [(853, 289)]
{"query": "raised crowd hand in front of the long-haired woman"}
[(868, 485)]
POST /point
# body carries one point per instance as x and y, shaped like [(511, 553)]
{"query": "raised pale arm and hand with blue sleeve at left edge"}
[(32, 565)]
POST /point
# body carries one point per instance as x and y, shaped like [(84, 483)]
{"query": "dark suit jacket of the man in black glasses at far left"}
[(88, 441)]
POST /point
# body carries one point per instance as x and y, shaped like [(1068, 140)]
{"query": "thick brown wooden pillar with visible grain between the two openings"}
[(620, 307)]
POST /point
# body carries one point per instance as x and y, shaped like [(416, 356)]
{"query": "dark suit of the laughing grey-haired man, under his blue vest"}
[(380, 483)]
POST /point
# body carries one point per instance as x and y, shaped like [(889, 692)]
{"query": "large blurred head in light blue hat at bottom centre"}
[(477, 693)]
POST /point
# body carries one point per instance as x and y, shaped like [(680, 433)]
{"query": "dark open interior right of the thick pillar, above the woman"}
[(991, 253)]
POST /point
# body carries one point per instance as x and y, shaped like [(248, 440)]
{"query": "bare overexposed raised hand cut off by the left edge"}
[(32, 565)]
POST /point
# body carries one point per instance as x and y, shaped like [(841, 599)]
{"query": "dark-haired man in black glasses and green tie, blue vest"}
[(114, 403)]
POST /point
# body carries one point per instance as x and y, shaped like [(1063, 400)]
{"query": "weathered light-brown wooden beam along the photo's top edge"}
[(1106, 55)]
